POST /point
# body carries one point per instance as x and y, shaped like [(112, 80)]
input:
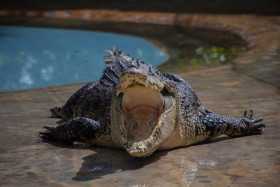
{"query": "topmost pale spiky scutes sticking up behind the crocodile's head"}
[(116, 56)]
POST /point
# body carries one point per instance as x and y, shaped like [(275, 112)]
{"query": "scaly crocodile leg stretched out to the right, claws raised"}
[(217, 125)]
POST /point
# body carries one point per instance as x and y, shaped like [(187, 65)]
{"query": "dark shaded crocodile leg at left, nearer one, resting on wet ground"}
[(79, 129)]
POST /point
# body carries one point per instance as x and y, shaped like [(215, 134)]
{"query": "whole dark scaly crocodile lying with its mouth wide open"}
[(135, 107)]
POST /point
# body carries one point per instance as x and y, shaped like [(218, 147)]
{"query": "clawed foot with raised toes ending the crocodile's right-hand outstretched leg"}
[(254, 126)]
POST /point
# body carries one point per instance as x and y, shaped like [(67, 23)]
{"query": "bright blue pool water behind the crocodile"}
[(40, 57)]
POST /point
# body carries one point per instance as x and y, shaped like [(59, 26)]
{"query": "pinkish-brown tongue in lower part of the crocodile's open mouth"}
[(140, 122)]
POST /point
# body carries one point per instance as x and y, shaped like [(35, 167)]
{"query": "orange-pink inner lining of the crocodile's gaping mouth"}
[(142, 107)]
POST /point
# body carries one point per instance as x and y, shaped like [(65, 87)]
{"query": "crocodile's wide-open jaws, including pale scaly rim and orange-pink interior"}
[(145, 113)]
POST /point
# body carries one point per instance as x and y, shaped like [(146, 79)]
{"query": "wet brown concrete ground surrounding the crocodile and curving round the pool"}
[(250, 81)]
